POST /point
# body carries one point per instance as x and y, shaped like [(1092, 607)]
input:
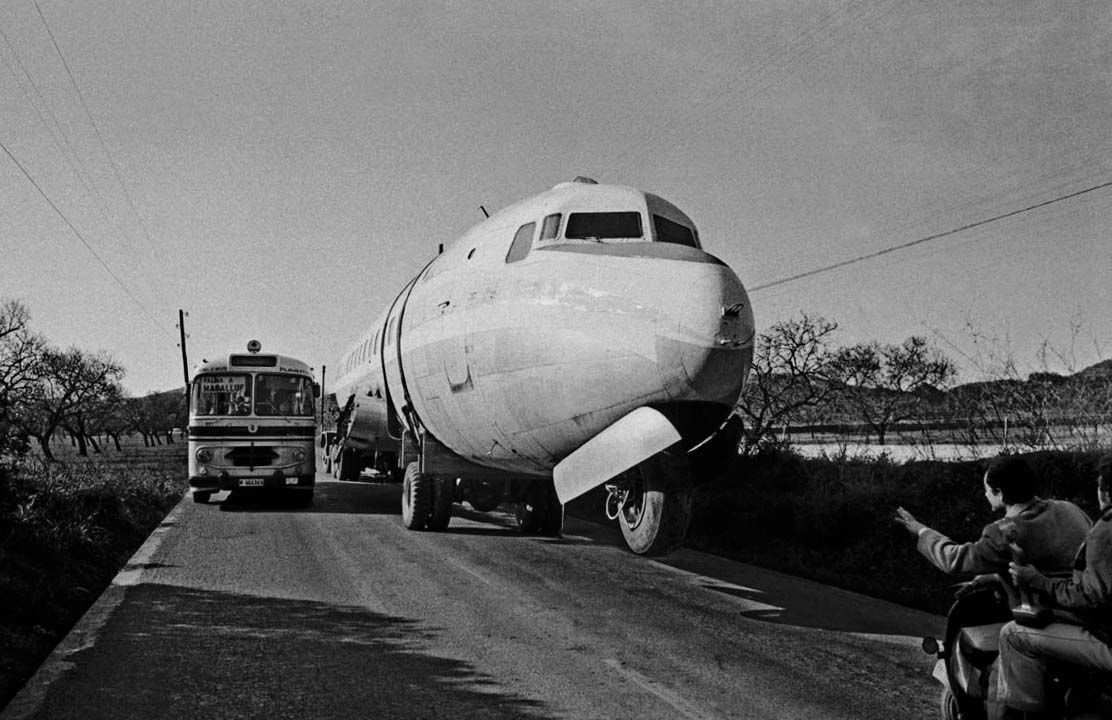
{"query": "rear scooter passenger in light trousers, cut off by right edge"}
[(1025, 652)]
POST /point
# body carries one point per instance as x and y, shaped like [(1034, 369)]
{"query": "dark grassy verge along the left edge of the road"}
[(66, 530)]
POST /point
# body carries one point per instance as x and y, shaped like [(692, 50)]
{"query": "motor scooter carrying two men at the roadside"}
[(971, 645)]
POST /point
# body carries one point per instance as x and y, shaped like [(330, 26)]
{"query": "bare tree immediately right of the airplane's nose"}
[(789, 374)]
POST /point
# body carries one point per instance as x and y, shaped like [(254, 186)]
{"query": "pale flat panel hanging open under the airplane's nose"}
[(636, 438)]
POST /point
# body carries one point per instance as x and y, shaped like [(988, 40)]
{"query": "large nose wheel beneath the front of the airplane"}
[(658, 506)]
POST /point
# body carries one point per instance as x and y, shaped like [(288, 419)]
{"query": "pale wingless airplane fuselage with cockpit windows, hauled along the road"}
[(548, 323)]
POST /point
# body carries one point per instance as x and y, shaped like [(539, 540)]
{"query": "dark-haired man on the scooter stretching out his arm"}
[(1048, 530)]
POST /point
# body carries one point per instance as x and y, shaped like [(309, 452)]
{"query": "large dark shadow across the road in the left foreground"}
[(177, 653)]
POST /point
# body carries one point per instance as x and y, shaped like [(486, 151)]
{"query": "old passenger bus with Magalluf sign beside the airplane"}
[(253, 426)]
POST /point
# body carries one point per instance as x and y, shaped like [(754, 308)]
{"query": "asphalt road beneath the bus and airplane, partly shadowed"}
[(254, 610)]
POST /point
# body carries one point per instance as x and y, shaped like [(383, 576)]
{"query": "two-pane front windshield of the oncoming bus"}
[(271, 396)]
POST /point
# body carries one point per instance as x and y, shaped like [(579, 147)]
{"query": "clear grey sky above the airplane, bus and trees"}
[(280, 171)]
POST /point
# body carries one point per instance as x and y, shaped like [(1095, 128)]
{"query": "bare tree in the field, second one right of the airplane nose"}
[(887, 384)]
